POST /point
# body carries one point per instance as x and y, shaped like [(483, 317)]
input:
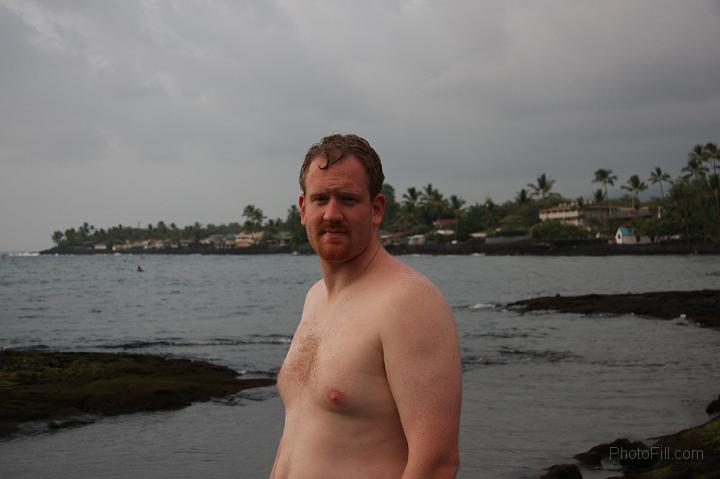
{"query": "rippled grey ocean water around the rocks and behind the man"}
[(537, 388)]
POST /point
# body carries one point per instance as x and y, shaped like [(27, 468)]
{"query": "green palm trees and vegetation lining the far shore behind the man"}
[(689, 209)]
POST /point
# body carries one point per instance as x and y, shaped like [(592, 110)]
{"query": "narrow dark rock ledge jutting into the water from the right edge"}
[(702, 307)]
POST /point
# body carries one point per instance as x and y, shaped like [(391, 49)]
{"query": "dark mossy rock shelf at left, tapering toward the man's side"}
[(63, 389)]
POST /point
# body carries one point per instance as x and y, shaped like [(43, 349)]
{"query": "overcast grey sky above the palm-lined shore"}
[(118, 112)]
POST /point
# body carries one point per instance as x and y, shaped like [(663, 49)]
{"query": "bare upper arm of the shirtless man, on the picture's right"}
[(422, 363)]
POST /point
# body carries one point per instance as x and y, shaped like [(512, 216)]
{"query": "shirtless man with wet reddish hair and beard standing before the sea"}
[(371, 383)]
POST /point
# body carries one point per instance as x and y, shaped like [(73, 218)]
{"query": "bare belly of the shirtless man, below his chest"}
[(322, 444)]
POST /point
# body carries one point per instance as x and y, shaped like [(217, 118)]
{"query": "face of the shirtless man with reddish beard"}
[(340, 218)]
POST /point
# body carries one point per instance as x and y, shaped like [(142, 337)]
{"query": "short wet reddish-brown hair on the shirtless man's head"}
[(336, 147)]
